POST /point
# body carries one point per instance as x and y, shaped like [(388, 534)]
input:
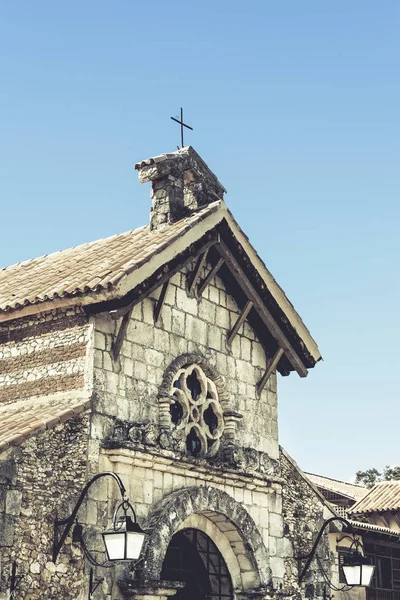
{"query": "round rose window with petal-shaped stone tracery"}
[(196, 411)]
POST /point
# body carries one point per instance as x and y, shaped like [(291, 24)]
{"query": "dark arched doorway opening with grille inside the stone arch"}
[(193, 558)]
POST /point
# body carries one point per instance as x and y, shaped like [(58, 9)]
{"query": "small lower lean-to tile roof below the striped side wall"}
[(25, 418)]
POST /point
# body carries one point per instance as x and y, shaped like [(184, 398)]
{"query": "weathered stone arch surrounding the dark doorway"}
[(219, 516)]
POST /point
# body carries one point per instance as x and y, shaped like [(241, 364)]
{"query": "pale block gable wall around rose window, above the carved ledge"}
[(129, 388)]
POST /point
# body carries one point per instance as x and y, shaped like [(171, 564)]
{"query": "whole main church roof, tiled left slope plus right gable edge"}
[(104, 270)]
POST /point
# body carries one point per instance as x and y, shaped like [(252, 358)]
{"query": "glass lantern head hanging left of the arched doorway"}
[(124, 540)]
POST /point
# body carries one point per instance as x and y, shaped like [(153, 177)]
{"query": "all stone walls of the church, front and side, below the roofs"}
[(235, 497)]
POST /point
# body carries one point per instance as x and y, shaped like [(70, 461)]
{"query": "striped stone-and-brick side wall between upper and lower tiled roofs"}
[(43, 354)]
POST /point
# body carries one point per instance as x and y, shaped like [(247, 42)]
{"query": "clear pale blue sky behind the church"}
[(295, 106)]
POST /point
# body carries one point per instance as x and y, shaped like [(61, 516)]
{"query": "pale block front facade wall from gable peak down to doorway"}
[(127, 395)]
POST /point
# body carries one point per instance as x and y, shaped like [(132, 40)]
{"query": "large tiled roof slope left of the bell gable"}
[(93, 267)]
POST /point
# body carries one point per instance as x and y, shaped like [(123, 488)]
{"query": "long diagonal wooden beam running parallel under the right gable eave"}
[(261, 309)]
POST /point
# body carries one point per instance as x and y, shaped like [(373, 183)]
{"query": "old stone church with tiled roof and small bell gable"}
[(154, 355)]
